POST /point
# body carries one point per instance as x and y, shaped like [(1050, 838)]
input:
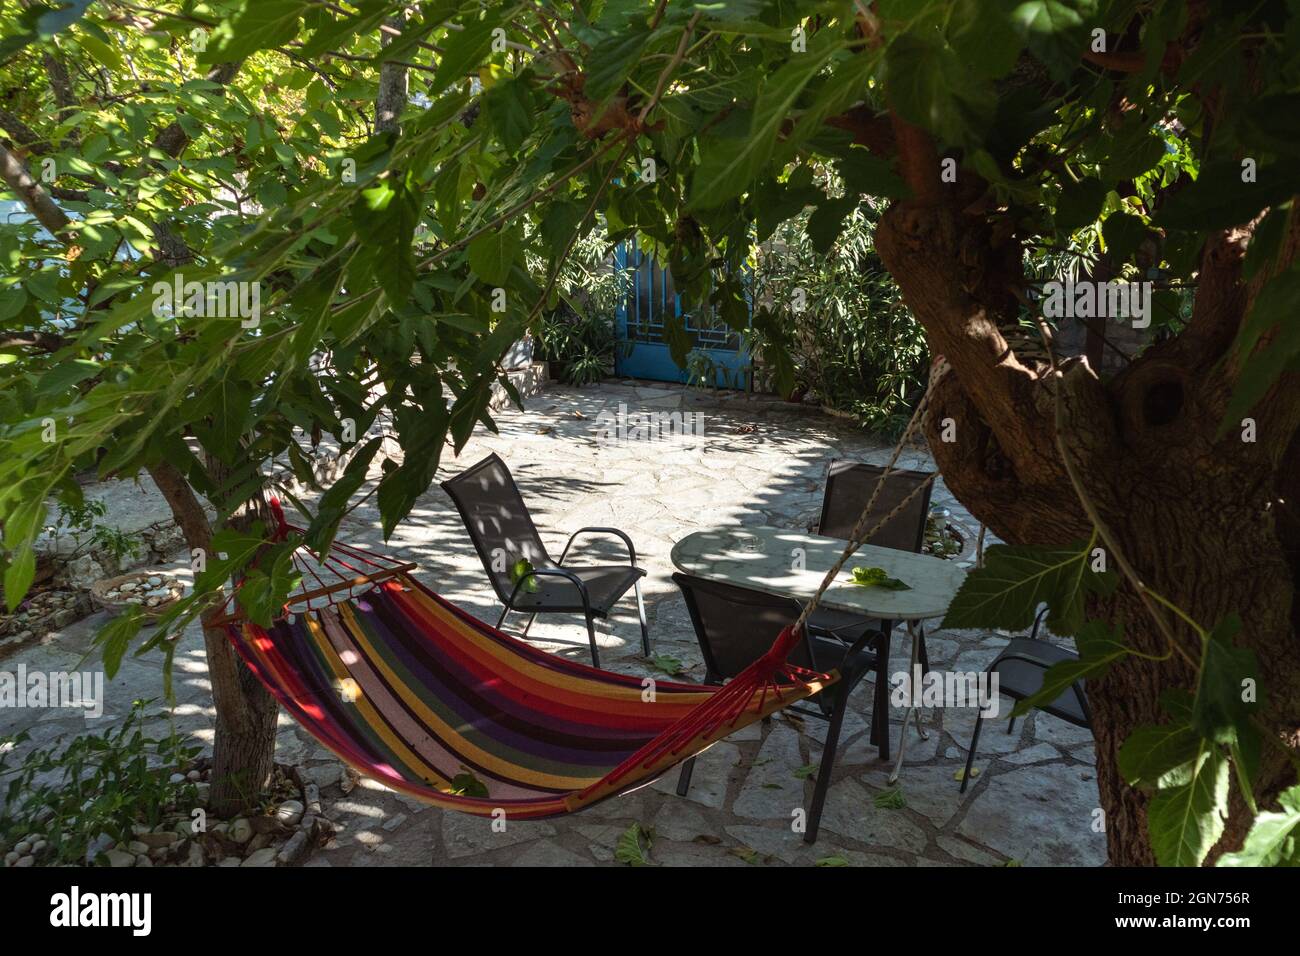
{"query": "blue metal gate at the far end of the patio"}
[(642, 321)]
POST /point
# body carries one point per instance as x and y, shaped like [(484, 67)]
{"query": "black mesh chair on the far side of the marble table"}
[(850, 487)]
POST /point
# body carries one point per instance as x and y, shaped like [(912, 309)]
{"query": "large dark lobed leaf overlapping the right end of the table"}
[(1016, 579)]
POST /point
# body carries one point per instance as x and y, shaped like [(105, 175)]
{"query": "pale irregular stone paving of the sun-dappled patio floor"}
[(759, 462)]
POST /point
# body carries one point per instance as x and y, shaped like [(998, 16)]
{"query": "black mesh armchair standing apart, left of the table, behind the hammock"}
[(504, 534)]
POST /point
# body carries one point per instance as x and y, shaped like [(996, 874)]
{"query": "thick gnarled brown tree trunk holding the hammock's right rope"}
[(1203, 518)]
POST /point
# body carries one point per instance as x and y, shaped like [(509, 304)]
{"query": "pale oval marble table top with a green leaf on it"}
[(794, 564)]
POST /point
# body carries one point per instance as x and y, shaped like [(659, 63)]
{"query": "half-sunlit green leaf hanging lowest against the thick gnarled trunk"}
[(1185, 821)]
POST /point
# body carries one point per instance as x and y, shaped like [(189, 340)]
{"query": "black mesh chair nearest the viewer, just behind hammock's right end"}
[(736, 626)]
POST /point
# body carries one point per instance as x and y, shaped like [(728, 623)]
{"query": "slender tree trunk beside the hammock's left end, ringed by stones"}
[(245, 743)]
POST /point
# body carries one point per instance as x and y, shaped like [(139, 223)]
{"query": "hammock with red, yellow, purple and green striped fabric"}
[(414, 693)]
